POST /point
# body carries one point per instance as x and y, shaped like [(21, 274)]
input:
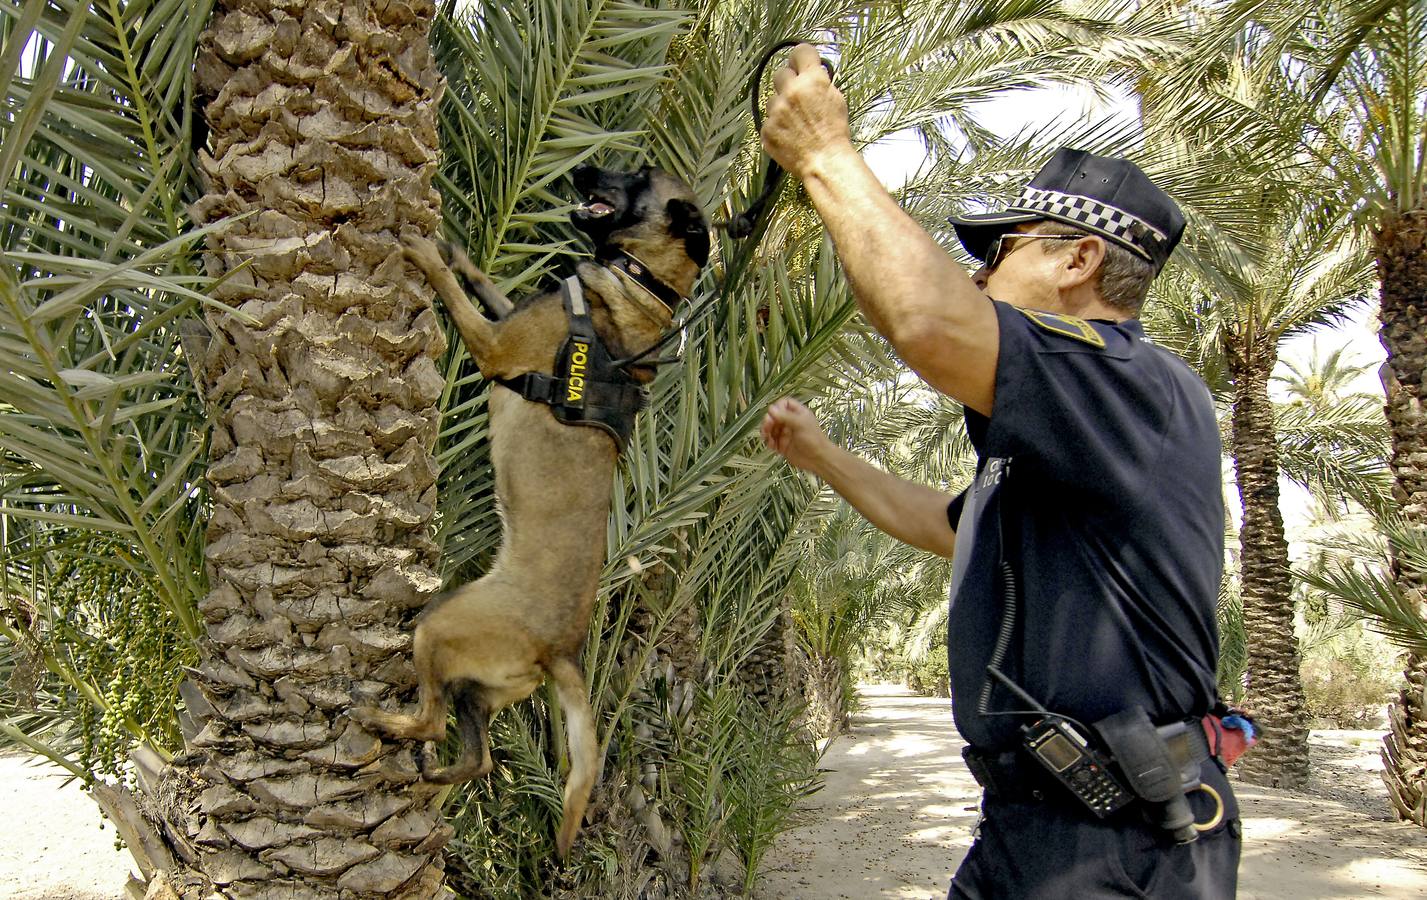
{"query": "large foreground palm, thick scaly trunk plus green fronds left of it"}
[(319, 382)]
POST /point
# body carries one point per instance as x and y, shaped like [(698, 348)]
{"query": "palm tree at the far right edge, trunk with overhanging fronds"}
[(1354, 105)]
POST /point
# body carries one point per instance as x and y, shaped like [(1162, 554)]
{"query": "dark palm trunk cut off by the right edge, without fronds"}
[(1402, 265)]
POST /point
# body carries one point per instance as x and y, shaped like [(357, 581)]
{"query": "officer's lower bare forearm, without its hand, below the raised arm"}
[(911, 513)]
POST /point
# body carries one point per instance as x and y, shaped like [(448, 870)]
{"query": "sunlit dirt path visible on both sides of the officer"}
[(897, 814)]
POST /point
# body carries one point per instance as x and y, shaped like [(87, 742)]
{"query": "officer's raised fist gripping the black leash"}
[(807, 116)]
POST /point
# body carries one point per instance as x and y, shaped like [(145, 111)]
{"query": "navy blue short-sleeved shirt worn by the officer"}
[(1102, 457)]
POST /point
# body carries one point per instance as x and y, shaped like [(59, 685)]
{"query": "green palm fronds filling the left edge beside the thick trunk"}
[(102, 433)]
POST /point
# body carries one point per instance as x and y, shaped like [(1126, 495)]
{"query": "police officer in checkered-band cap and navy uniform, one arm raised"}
[(1090, 548)]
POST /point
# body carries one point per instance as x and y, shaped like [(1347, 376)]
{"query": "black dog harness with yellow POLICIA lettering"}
[(589, 387)]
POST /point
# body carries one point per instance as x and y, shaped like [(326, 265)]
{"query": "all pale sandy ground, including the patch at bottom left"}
[(893, 821)]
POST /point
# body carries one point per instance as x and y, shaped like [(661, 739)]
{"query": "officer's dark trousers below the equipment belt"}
[(1057, 851)]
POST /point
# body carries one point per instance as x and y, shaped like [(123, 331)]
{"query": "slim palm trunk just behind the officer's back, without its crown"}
[(1275, 691)]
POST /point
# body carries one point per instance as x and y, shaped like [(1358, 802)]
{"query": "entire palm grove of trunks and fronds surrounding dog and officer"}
[(239, 451)]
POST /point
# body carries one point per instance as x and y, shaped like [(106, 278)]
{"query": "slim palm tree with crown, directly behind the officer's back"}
[(1246, 293)]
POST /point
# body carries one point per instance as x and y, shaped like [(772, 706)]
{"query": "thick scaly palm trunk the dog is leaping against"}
[(322, 473)]
